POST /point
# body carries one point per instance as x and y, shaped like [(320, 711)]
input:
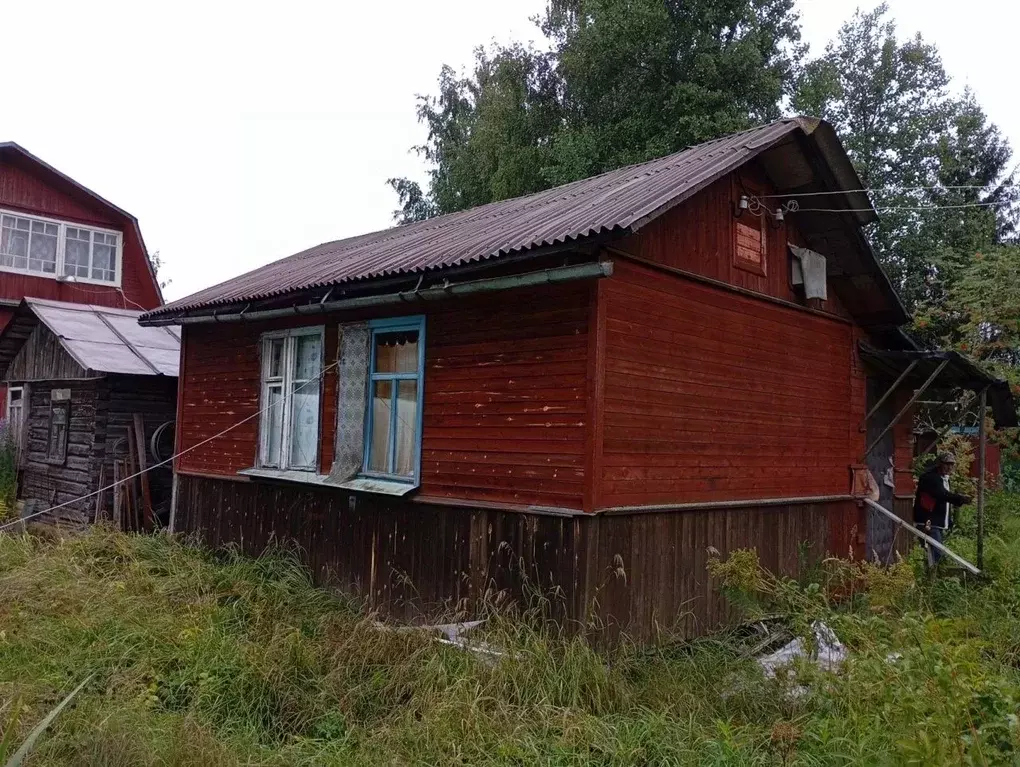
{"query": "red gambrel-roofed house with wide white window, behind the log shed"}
[(63, 242)]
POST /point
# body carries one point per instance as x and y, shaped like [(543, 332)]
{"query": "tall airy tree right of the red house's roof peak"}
[(933, 159)]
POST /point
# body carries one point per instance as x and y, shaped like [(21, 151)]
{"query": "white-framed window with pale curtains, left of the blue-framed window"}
[(289, 431)]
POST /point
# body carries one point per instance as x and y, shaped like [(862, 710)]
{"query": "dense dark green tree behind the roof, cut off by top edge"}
[(644, 79)]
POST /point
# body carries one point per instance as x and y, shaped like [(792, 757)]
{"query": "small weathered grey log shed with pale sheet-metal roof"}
[(79, 377)]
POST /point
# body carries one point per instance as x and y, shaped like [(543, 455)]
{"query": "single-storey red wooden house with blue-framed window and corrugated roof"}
[(583, 390)]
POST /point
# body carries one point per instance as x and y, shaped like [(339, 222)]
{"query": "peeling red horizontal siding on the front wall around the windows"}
[(505, 412)]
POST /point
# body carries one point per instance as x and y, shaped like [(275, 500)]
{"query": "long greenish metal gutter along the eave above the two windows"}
[(546, 277)]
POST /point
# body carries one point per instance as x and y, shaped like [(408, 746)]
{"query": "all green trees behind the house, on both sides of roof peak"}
[(627, 81)]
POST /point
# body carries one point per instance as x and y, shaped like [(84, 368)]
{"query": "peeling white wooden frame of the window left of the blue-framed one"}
[(285, 383)]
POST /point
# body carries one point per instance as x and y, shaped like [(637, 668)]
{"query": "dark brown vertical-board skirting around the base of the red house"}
[(628, 573)]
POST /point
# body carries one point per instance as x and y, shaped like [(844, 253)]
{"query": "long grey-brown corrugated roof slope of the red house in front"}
[(623, 199)]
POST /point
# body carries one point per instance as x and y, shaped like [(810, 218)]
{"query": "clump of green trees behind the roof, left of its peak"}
[(624, 82)]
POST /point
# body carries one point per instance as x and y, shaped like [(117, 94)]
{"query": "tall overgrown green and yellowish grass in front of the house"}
[(206, 661)]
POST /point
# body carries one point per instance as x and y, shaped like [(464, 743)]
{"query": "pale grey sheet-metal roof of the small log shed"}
[(111, 341)]
